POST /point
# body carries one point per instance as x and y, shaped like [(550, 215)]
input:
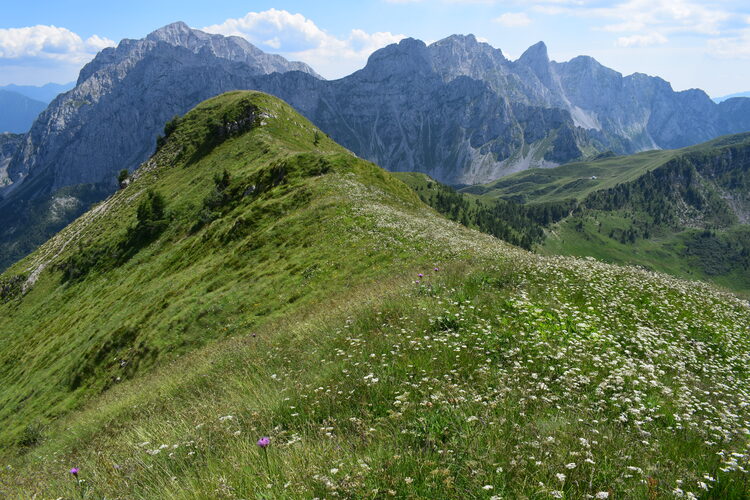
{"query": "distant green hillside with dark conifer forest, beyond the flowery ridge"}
[(682, 212)]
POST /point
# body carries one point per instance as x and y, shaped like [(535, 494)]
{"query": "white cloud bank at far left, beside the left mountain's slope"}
[(49, 42)]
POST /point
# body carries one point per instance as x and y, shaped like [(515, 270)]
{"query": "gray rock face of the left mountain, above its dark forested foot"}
[(126, 94)]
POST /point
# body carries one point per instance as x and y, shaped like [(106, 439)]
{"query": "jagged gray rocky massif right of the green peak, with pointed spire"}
[(462, 112)]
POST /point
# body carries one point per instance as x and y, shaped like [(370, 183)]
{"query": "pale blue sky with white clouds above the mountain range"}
[(690, 43)]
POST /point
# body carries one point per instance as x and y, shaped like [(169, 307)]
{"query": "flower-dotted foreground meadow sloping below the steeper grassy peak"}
[(514, 377)]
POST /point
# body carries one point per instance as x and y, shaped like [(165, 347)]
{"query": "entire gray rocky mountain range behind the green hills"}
[(458, 110)]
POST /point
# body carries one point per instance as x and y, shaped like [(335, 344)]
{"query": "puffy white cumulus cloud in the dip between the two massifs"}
[(298, 38)]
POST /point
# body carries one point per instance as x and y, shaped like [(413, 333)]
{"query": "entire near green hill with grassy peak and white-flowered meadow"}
[(255, 280)]
